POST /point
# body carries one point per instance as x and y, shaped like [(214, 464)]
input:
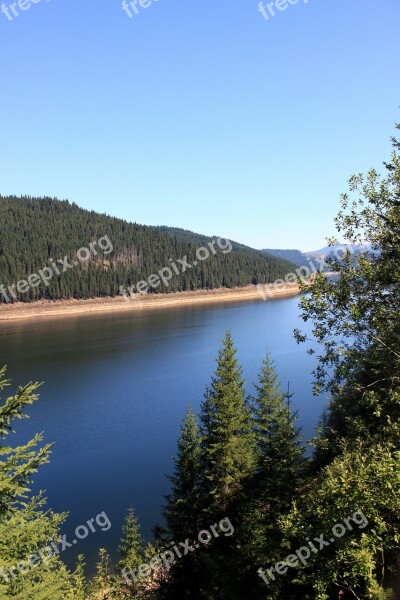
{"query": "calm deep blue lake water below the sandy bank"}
[(116, 388)]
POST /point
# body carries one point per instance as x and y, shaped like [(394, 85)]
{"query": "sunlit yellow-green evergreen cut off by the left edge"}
[(29, 569)]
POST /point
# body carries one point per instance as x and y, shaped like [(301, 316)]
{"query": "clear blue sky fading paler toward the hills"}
[(200, 113)]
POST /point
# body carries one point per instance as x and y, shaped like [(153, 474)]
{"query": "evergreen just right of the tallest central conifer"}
[(277, 477)]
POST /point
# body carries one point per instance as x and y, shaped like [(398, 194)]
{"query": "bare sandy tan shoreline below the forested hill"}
[(42, 309)]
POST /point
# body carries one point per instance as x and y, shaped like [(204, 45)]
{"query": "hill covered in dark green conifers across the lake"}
[(36, 233)]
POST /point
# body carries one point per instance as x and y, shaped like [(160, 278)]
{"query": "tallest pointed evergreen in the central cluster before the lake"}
[(227, 463)]
